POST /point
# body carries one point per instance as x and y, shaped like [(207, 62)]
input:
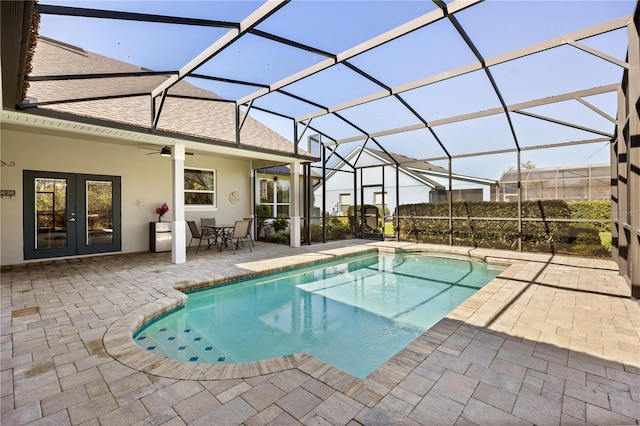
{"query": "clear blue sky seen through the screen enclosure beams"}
[(495, 28)]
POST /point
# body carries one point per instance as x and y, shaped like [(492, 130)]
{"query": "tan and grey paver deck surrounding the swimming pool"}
[(553, 340)]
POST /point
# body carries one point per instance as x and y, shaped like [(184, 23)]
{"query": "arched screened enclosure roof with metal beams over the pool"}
[(432, 81)]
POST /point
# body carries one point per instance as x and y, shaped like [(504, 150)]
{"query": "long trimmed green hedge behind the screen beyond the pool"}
[(579, 237)]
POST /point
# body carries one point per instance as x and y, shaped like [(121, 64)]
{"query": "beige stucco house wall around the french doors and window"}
[(144, 177)]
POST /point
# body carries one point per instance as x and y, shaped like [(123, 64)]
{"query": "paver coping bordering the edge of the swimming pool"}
[(119, 344)]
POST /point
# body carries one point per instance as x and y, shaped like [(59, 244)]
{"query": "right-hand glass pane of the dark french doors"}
[(99, 212)]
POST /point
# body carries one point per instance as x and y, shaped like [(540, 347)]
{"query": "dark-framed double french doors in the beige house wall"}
[(68, 214)]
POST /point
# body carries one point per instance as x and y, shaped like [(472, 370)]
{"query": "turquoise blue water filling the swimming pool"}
[(354, 314)]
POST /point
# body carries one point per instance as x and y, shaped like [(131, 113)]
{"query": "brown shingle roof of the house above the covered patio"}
[(206, 117)]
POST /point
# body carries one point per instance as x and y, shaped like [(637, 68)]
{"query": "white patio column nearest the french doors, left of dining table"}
[(178, 225)]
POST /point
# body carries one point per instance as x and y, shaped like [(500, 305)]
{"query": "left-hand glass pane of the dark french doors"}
[(51, 213)]
